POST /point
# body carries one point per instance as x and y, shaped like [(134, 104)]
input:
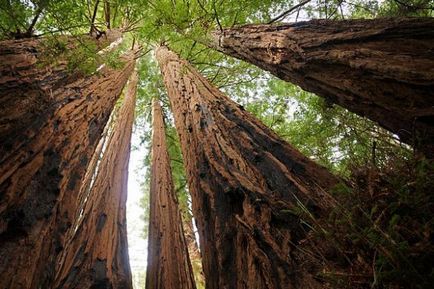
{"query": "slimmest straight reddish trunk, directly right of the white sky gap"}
[(168, 260)]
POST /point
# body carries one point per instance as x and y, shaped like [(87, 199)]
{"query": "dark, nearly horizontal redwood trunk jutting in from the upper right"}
[(382, 69)]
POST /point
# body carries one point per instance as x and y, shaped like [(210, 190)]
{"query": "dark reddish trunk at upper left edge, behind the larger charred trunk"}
[(28, 80)]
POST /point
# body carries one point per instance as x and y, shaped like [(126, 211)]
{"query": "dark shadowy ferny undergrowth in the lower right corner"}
[(380, 235)]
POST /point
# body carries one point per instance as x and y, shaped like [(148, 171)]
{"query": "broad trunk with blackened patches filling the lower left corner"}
[(41, 173)]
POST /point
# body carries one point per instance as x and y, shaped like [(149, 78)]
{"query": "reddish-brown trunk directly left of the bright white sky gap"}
[(96, 250)]
